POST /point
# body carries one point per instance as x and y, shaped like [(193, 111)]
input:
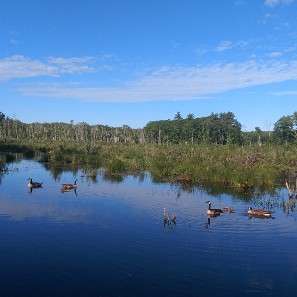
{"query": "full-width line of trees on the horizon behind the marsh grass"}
[(217, 128)]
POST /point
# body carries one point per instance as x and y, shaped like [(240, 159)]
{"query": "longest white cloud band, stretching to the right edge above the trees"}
[(177, 83)]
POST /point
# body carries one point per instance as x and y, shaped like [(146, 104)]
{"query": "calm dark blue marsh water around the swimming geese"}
[(108, 239)]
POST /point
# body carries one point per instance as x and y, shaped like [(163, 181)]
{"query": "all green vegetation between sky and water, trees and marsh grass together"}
[(240, 162)]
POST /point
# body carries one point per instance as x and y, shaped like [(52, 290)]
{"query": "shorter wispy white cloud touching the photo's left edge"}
[(18, 66)]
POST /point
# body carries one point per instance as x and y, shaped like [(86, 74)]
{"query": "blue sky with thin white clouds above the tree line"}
[(129, 62)]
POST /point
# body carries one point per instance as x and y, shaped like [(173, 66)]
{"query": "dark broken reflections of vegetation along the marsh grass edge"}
[(91, 175)]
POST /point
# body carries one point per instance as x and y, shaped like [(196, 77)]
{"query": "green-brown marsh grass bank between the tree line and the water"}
[(242, 169)]
